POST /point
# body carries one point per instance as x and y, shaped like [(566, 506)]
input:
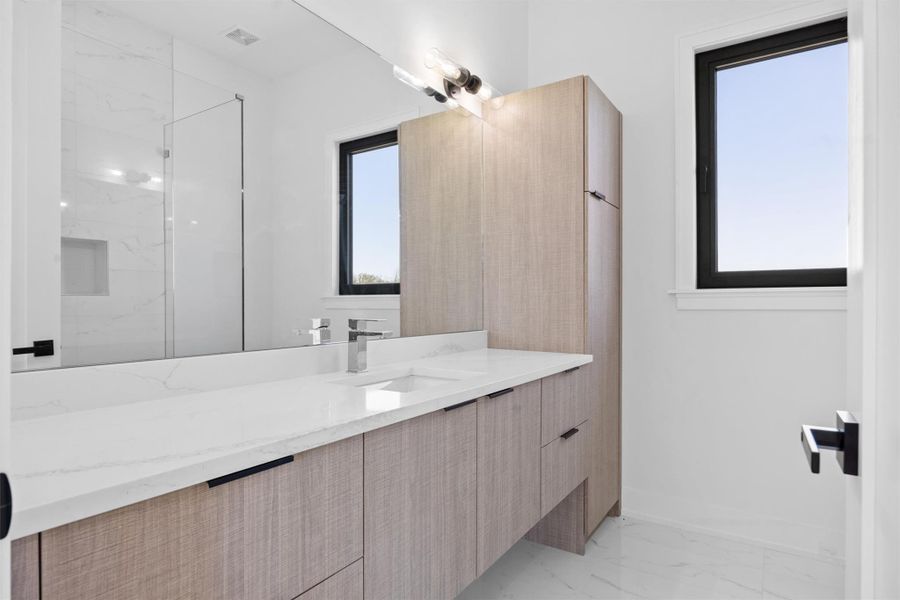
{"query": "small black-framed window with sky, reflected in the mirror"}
[(370, 215)]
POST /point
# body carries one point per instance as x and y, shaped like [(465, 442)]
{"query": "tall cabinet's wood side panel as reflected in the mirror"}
[(440, 224)]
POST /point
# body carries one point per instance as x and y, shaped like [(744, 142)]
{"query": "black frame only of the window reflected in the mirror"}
[(346, 151)]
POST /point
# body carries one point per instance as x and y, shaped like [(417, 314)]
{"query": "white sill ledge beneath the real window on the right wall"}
[(812, 298)]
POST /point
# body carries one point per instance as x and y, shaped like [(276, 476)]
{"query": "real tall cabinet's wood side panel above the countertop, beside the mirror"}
[(534, 219)]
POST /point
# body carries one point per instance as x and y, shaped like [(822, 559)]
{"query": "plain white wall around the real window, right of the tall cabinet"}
[(712, 400)]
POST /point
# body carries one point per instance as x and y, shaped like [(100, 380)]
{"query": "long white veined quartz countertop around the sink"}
[(72, 466)]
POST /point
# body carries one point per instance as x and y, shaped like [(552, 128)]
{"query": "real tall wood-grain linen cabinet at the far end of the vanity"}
[(551, 251)]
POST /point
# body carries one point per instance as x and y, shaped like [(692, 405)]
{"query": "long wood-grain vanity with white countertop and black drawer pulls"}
[(348, 488)]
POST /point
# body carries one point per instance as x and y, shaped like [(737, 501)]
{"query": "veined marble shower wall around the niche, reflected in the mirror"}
[(116, 98)]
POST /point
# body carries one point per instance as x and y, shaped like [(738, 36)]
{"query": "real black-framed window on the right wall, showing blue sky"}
[(772, 161)]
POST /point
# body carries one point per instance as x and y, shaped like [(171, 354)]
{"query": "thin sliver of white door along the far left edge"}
[(5, 252)]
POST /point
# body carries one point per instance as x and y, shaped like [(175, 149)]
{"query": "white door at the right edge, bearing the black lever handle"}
[(873, 498)]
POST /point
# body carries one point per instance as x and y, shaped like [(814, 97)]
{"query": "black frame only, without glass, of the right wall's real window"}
[(706, 64)]
